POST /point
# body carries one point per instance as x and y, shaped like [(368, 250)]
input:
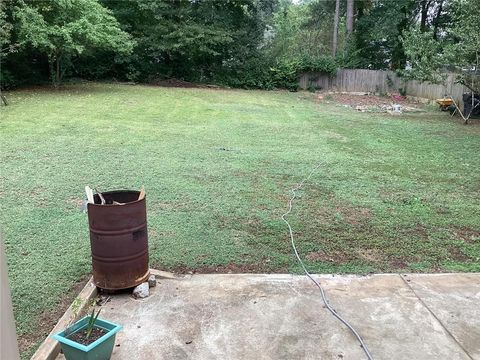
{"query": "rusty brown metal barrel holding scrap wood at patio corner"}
[(119, 240)]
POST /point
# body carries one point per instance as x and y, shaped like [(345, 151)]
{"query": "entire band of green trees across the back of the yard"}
[(242, 43)]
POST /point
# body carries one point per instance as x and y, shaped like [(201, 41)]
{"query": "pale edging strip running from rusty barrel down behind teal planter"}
[(50, 348)]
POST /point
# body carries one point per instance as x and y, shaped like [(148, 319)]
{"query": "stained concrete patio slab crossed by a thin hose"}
[(251, 316)]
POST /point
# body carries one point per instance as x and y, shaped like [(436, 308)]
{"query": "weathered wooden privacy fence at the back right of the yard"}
[(383, 81)]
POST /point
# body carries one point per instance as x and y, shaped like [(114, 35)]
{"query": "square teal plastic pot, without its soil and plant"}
[(100, 349)]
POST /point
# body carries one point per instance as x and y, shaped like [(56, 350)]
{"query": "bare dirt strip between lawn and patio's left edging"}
[(49, 318)]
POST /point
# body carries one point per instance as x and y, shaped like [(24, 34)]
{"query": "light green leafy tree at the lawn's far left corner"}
[(65, 28)]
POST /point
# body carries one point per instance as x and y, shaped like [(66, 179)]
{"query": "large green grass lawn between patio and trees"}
[(392, 193)]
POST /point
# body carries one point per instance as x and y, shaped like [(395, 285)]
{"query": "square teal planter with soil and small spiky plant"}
[(89, 338)]
